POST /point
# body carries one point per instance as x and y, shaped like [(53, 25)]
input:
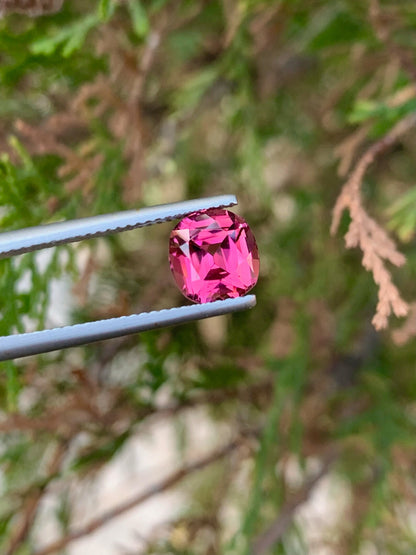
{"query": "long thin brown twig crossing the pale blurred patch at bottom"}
[(156, 489)]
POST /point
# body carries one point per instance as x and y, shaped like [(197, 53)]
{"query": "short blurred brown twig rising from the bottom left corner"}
[(28, 513)]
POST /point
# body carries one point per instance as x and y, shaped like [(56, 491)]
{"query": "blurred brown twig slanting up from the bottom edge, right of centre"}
[(267, 539)]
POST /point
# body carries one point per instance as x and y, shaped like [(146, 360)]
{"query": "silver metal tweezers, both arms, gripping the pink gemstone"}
[(35, 238)]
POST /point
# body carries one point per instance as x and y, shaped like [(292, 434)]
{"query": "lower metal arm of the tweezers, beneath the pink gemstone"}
[(34, 343)]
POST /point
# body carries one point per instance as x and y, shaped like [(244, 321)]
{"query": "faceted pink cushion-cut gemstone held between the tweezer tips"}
[(213, 255)]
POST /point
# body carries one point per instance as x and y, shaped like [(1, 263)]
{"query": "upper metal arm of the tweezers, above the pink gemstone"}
[(50, 235)]
